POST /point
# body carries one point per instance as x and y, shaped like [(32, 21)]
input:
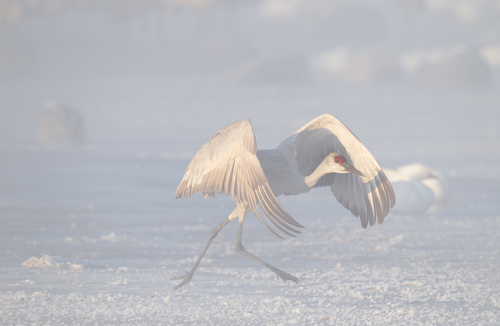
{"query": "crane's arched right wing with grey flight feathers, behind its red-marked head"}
[(368, 197)]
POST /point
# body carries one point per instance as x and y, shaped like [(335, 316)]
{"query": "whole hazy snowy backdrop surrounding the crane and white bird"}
[(104, 103)]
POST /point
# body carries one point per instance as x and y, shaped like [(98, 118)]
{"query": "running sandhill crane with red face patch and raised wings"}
[(324, 152)]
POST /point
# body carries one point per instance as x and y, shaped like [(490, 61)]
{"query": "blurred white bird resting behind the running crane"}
[(417, 188)]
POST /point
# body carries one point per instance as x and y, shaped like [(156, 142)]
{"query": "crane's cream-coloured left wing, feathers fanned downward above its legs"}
[(228, 164)]
